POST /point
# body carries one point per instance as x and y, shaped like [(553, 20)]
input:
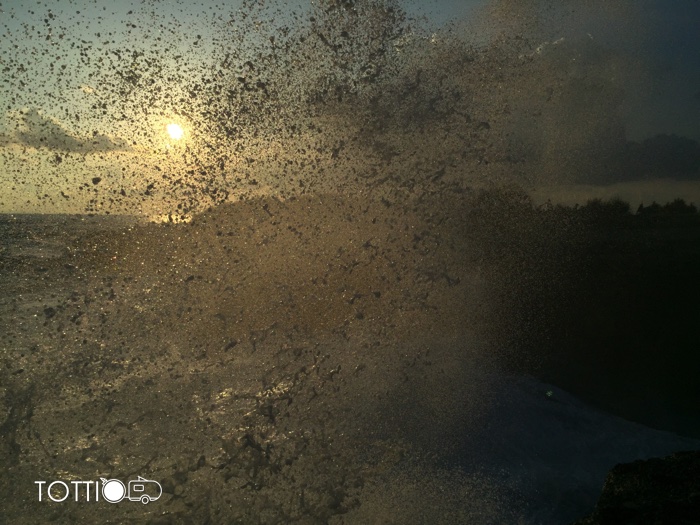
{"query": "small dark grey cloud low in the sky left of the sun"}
[(38, 131)]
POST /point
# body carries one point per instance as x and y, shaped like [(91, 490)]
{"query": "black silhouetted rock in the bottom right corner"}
[(659, 491)]
